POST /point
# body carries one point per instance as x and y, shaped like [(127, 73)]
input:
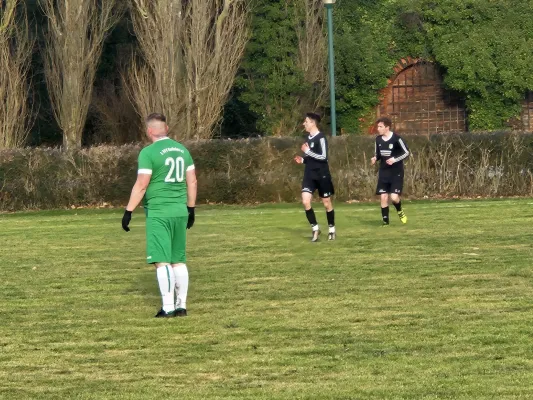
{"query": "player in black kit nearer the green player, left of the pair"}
[(316, 175)]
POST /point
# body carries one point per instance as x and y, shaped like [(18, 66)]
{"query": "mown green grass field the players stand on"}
[(440, 308)]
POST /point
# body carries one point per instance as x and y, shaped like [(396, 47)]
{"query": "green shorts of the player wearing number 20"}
[(166, 239)]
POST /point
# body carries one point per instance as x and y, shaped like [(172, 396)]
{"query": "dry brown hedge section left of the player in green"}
[(47, 178)]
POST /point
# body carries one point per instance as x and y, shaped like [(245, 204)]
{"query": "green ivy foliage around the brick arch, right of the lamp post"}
[(483, 46)]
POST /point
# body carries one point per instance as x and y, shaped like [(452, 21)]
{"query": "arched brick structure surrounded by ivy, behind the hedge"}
[(417, 102)]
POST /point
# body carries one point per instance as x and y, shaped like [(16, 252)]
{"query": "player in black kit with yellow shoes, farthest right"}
[(391, 150)]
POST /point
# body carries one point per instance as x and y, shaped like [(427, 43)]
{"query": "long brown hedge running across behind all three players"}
[(261, 170)]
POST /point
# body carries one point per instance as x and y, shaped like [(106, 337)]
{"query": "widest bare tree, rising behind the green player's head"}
[(191, 51)]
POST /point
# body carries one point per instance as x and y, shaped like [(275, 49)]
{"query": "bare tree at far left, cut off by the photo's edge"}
[(15, 55)]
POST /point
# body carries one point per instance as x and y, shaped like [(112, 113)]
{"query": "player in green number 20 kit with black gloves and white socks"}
[(166, 179)]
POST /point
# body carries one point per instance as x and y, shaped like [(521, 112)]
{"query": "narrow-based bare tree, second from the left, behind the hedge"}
[(74, 41)]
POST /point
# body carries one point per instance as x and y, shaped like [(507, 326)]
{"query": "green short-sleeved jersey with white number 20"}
[(167, 161)]
